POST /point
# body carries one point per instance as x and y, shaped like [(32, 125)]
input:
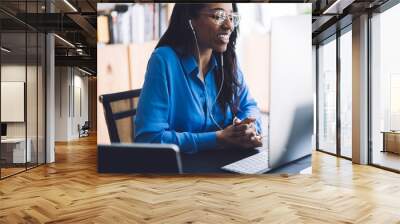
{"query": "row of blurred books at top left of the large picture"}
[(132, 23)]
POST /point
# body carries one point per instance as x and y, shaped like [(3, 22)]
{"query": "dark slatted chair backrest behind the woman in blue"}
[(119, 112)]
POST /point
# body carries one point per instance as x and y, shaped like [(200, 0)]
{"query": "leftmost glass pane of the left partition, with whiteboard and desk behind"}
[(15, 150)]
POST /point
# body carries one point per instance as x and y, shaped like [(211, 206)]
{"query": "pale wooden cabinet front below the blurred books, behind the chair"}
[(122, 69)]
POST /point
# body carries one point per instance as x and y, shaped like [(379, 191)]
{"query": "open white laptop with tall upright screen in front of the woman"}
[(290, 98)]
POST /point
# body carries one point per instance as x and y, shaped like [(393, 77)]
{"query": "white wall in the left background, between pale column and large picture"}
[(70, 83)]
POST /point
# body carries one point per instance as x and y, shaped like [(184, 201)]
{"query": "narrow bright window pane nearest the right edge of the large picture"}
[(327, 97)]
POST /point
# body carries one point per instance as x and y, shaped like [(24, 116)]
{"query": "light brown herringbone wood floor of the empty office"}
[(71, 191)]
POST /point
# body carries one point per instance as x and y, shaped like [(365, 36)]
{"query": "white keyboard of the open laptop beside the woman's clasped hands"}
[(255, 164)]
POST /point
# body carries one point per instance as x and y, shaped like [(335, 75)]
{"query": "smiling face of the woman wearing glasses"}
[(213, 33)]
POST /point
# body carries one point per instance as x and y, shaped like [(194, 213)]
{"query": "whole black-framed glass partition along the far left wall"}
[(23, 76)]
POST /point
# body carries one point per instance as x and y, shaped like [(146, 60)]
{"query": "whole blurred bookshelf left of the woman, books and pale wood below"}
[(126, 36)]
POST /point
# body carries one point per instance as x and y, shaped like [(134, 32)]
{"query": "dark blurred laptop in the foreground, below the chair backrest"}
[(138, 158)]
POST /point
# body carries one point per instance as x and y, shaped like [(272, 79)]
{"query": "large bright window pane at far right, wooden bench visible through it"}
[(386, 89)]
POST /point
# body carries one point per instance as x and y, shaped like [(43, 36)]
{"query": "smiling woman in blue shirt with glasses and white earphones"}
[(194, 94)]
